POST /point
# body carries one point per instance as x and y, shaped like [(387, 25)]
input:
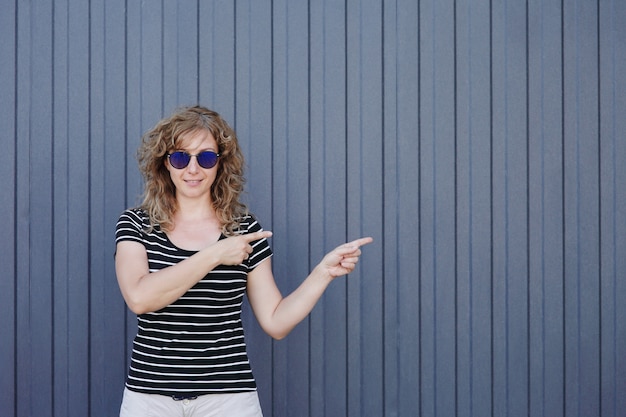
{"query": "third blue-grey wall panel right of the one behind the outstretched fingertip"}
[(474, 208)]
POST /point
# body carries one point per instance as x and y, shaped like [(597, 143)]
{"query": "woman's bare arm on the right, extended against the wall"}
[(278, 315)]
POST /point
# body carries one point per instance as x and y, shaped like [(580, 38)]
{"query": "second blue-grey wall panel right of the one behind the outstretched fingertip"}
[(437, 208)]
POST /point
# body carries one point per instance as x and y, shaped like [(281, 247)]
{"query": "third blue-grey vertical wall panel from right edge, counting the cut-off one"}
[(546, 396)]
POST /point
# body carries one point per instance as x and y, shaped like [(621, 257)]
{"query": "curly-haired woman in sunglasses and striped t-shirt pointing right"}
[(184, 259)]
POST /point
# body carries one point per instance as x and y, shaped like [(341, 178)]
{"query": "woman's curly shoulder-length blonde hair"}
[(159, 197)]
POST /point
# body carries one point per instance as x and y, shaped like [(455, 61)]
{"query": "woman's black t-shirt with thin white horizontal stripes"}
[(195, 345)]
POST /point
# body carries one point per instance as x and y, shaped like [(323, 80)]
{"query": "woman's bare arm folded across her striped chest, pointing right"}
[(146, 291)]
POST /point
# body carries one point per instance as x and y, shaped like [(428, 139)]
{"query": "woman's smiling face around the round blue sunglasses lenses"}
[(193, 181)]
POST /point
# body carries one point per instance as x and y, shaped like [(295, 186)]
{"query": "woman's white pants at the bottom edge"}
[(245, 404)]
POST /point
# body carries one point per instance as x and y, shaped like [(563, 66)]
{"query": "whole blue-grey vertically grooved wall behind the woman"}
[(482, 143)]
